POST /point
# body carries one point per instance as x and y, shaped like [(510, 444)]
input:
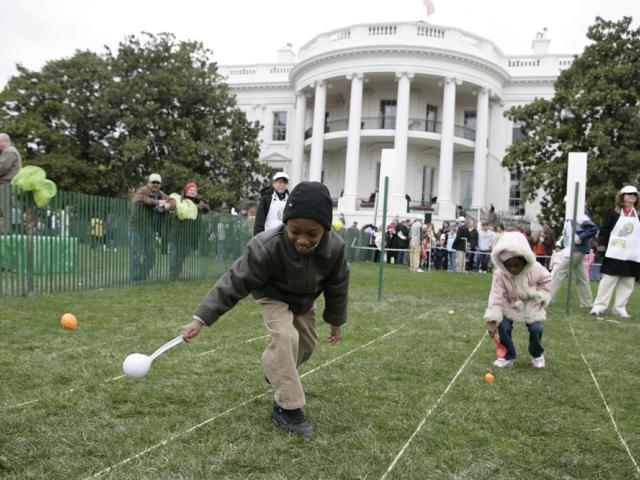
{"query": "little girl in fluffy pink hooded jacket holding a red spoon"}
[(520, 292)]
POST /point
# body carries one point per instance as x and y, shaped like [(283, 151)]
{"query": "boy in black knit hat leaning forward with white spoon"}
[(286, 269)]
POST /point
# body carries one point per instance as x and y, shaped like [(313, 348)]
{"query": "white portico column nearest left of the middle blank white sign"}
[(348, 201)]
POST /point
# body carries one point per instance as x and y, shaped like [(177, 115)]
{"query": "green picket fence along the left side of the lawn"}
[(81, 242)]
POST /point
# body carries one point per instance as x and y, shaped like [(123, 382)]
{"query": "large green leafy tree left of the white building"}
[(101, 123)]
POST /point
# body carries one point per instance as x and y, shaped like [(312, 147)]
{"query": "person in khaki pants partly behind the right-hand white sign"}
[(585, 231)]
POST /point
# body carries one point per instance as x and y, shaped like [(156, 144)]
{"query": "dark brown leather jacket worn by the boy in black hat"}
[(271, 267)]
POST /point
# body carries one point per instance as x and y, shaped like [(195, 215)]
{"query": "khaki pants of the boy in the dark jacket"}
[(293, 340)]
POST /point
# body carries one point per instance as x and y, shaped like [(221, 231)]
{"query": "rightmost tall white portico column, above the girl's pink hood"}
[(479, 197)]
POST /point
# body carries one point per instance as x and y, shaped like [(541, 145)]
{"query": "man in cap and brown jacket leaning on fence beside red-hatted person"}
[(150, 207)]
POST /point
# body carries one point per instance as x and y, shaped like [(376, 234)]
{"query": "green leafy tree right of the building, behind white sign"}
[(595, 109)]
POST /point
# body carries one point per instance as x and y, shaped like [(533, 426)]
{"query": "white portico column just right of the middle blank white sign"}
[(398, 200)]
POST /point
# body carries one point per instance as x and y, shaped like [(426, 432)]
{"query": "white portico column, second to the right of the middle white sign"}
[(446, 205)]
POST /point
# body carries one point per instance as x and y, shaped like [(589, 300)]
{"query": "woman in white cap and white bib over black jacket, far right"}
[(620, 233)]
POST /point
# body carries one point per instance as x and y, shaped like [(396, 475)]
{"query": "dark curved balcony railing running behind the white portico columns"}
[(389, 123)]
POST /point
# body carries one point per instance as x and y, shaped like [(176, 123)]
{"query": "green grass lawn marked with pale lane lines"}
[(385, 393)]
